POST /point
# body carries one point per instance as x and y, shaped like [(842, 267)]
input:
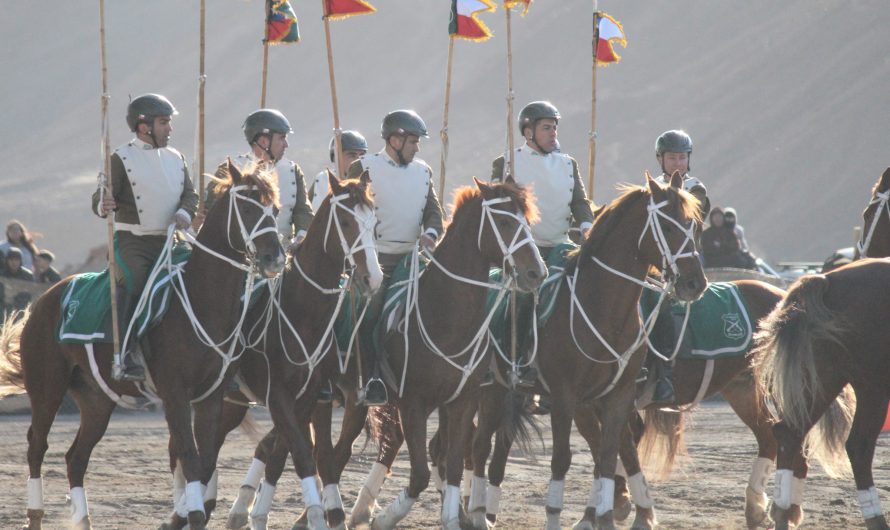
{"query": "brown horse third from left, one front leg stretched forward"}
[(437, 355)]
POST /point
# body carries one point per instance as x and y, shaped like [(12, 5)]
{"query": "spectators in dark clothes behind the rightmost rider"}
[(723, 242)]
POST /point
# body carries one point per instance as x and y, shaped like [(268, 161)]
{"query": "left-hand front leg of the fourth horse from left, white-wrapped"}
[(561, 425)]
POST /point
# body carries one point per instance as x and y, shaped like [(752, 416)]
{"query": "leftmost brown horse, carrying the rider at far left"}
[(187, 370)]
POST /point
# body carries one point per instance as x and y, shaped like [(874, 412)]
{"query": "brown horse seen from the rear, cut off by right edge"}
[(828, 335)]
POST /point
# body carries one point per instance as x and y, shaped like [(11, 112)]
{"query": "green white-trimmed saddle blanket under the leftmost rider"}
[(86, 304)]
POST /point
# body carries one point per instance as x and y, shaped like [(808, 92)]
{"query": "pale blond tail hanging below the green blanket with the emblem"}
[(663, 443)]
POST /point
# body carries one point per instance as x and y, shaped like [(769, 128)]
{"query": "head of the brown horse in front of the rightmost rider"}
[(672, 219)]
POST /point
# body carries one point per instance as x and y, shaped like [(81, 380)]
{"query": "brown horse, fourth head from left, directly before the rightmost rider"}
[(592, 347)]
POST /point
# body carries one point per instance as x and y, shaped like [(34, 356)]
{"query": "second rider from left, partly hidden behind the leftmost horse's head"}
[(266, 133)]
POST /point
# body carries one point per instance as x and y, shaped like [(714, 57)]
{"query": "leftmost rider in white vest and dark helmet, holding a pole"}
[(151, 189)]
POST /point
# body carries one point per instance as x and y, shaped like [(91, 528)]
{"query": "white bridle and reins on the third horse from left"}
[(478, 344)]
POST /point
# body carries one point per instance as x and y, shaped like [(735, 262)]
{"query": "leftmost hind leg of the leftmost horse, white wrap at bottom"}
[(46, 390)]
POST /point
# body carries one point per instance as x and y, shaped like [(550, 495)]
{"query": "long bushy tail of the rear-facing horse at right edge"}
[(785, 364)]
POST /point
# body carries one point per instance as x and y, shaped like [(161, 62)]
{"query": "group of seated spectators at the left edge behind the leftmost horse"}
[(22, 260)]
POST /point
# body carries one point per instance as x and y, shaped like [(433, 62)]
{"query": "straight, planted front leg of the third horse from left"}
[(459, 434)]
